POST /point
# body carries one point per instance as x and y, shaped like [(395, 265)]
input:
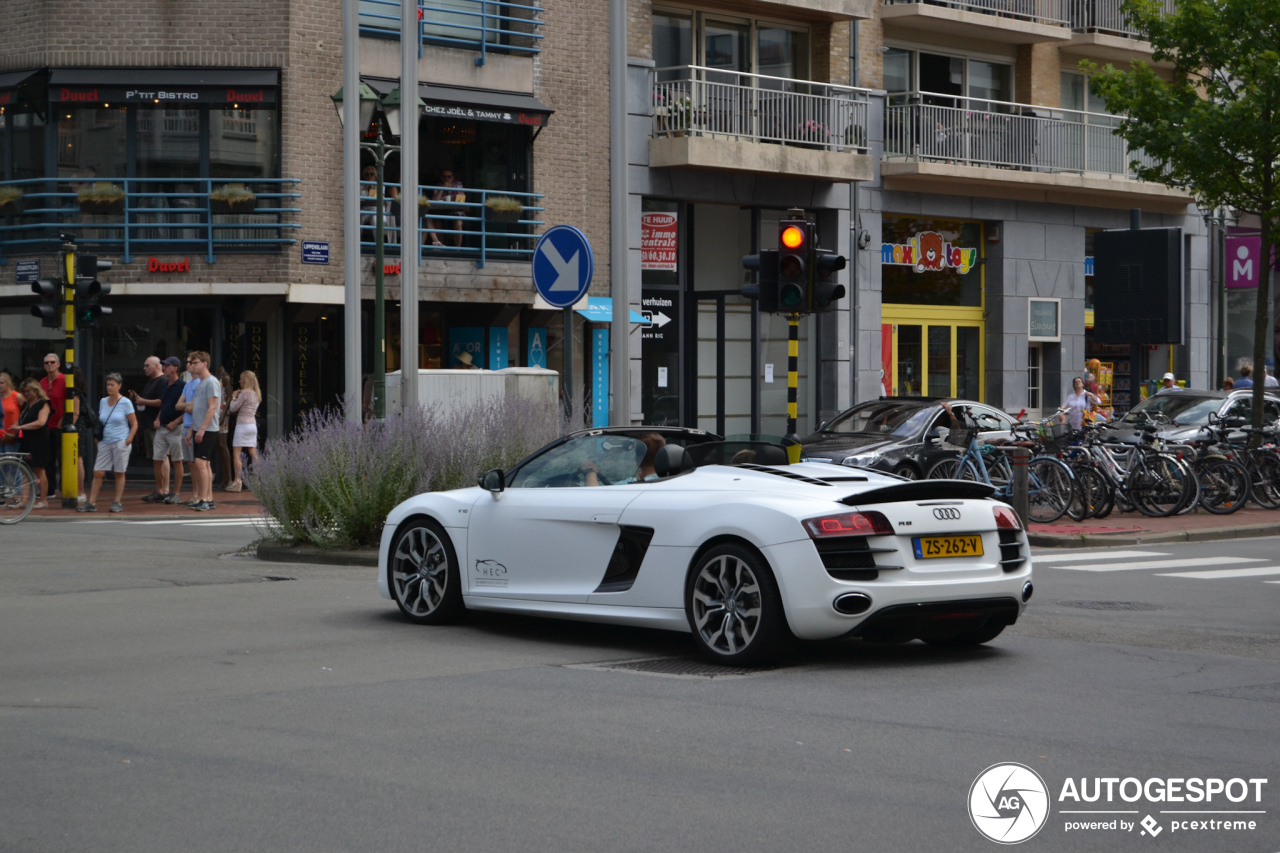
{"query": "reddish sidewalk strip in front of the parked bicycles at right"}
[(1133, 528)]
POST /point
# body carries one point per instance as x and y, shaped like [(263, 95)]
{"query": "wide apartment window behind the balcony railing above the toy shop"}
[(911, 71)]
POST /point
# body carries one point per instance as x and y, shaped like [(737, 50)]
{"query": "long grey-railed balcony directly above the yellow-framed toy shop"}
[(1014, 150)]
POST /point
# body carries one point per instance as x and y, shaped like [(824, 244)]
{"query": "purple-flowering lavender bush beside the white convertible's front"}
[(332, 483)]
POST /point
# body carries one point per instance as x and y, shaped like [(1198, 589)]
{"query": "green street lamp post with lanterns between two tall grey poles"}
[(373, 108)]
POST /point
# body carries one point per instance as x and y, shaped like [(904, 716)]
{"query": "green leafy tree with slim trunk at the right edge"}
[(1214, 126)]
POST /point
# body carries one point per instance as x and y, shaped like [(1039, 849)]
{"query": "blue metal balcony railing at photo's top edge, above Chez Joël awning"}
[(472, 25)]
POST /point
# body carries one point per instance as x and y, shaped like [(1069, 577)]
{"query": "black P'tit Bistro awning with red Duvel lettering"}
[(168, 86)]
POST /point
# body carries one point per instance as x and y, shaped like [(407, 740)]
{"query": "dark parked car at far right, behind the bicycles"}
[(1182, 414)]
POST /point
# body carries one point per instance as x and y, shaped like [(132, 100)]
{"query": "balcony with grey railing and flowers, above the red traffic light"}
[(707, 118)]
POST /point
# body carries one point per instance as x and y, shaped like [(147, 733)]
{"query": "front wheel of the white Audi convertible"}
[(424, 574)]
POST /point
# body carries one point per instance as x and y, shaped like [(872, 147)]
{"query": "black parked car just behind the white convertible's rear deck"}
[(900, 435)]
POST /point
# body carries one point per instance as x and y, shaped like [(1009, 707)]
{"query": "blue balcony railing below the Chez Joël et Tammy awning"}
[(486, 226)]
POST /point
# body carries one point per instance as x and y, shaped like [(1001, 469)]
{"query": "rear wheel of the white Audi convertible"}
[(734, 608)]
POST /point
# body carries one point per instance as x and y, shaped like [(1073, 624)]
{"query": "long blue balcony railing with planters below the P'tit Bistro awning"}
[(154, 215)]
